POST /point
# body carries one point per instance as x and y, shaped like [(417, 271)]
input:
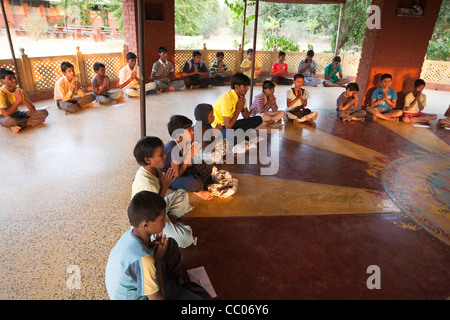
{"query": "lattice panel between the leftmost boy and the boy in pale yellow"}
[(47, 70)]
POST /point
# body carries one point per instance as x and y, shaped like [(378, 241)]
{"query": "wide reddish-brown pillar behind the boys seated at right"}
[(398, 47)]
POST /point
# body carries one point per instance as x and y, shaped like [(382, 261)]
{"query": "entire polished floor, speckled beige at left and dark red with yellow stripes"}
[(338, 204)]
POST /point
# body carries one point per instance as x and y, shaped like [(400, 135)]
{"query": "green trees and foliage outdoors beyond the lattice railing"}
[(281, 24)]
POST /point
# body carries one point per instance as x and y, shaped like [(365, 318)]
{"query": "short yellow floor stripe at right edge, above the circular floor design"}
[(423, 137)]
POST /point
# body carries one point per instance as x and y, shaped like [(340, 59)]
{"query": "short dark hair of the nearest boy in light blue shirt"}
[(145, 206)]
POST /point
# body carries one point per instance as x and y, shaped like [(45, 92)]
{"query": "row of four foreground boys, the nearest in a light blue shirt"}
[(146, 262)]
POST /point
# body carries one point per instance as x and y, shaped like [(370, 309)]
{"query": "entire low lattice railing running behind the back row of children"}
[(42, 72)]
